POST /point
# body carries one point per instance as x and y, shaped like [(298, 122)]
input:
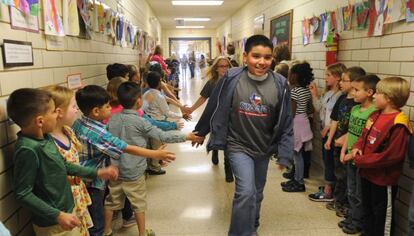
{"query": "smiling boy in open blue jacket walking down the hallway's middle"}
[(249, 115)]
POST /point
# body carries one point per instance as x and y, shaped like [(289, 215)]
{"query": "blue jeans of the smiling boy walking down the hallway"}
[(250, 173)]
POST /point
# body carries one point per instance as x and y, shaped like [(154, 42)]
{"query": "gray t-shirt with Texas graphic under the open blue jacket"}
[(253, 116)]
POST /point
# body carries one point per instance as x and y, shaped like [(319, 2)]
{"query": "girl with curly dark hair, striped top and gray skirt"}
[(300, 76)]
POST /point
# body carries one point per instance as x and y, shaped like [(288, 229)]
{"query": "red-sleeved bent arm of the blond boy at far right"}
[(393, 153)]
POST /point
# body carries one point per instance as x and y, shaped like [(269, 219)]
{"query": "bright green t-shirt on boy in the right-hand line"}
[(357, 123)]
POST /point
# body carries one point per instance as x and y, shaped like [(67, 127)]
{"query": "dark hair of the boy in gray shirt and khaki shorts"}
[(128, 93)]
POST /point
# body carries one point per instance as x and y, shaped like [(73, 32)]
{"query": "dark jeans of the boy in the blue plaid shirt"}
[(96, 211)]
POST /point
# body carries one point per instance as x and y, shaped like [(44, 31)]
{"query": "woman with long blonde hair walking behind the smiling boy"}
[(217, 70)]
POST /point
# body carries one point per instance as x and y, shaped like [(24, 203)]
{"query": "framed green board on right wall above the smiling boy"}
[(281, 29)]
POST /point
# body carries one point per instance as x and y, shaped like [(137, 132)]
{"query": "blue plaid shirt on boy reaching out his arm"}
[(97, 146)]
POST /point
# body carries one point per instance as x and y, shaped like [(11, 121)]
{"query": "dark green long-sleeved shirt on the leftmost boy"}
[(40, 178)]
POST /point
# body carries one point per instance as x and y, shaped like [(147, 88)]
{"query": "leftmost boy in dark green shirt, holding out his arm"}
[(40, 172)]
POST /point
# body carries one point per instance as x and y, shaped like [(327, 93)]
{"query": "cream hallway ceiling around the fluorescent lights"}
[(166, 12)]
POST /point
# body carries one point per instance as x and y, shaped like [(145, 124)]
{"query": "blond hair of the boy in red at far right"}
[(395, 89)]
